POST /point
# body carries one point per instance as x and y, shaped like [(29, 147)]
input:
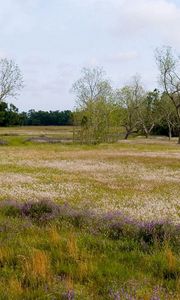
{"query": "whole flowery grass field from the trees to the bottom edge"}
[(88, 222)]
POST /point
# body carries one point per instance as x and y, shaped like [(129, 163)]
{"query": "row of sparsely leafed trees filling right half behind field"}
[(102, 111)]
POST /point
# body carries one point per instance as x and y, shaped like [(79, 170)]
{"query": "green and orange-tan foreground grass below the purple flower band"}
[(45, 260)]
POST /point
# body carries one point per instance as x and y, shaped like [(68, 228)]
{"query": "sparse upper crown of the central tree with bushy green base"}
[(91, 86)]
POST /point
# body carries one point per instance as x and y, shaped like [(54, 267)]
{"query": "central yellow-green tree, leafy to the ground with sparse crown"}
[(94, 103)]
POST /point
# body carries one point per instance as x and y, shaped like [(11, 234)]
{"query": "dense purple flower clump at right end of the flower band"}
[(116, 226)]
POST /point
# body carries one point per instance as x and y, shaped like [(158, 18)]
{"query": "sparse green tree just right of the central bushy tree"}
[(140, 108)]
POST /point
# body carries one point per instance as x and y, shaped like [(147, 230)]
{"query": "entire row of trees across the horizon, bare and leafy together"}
[(103, 114)]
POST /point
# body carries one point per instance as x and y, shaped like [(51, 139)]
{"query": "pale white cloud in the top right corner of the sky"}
[(149, 19)]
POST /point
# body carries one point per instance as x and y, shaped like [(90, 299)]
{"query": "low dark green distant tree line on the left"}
[(10, 116)]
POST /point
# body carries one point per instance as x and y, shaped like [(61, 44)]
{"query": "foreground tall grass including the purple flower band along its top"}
[(109, 256)]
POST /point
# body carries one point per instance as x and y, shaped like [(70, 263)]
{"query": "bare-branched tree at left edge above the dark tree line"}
[(11, 80)]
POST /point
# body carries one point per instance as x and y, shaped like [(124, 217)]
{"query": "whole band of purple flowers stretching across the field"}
[(114, 225)]
